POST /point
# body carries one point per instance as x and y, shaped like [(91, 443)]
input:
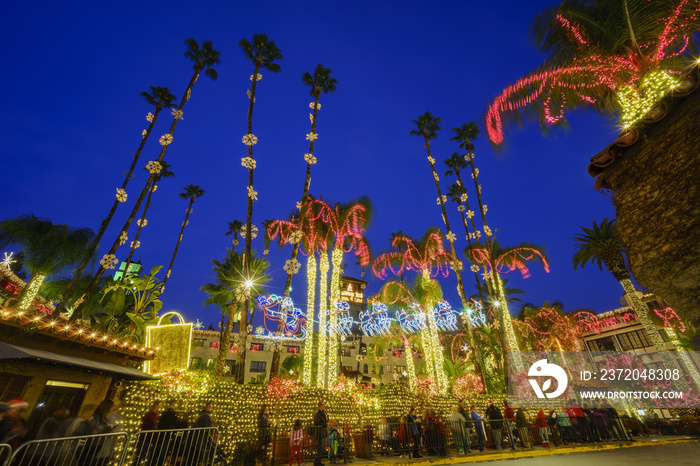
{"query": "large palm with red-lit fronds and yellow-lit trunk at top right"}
[(603, 54)]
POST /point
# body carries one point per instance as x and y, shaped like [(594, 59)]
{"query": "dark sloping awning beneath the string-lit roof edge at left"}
[(8, 351)]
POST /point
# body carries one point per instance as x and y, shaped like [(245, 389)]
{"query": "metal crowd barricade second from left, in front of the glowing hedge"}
[(197, 446)]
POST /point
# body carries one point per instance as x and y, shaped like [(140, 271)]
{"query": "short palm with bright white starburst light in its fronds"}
[(230, 289)]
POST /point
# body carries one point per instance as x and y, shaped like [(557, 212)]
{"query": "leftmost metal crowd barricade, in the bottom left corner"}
[(92, 450)]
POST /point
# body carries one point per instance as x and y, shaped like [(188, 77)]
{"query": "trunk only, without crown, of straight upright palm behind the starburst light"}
[(243, 330)]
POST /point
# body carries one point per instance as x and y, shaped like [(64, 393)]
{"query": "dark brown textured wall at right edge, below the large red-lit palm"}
[(656, 186)]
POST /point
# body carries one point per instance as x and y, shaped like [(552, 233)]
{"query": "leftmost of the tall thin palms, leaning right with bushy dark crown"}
[(160, 98)]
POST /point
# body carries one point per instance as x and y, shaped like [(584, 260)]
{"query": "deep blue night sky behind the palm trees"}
[(71, 116)]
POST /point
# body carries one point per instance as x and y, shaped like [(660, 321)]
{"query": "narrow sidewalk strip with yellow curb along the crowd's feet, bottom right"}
[(537, 451)]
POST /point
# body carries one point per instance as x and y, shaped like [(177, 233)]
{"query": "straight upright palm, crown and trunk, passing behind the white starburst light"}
[(263, 53)]
